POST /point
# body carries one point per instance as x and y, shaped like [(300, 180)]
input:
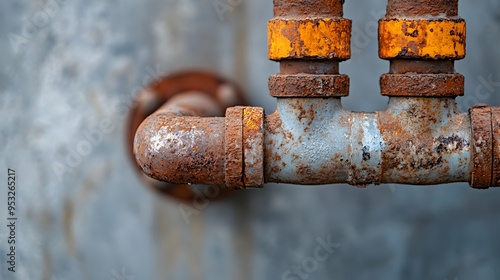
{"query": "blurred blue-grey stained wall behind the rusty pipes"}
[(80, 64)]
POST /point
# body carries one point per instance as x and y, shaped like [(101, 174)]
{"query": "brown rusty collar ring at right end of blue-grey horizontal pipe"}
[(482, 146)]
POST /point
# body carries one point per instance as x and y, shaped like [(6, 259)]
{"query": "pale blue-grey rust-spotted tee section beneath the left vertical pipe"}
[(307, 142)]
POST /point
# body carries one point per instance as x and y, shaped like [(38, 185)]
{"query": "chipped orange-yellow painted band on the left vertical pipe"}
[(317, 38)]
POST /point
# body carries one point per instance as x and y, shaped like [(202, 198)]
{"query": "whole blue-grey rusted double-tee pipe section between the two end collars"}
[(416, 141)]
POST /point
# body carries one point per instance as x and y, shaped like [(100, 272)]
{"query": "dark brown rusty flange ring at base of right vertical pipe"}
[(422, 85)]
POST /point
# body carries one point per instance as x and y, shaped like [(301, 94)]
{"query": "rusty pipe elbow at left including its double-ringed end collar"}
[(182, 149)]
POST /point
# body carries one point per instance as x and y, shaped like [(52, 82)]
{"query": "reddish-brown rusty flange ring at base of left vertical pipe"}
[(308, 85)]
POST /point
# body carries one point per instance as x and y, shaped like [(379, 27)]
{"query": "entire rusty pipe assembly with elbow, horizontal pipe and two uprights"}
[(420, 139)]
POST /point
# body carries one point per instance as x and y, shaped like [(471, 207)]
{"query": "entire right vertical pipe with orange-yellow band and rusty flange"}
[(422, 38)]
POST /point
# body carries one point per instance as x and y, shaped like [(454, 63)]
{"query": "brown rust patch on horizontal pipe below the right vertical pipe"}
[(411, 148)]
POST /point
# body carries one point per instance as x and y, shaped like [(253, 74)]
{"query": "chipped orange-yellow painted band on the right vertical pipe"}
[(424, 39)]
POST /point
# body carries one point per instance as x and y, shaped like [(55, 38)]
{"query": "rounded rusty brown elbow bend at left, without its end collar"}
[(181, 150)]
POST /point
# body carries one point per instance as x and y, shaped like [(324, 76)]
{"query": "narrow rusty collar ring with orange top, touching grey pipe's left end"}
[(253, 147)]
